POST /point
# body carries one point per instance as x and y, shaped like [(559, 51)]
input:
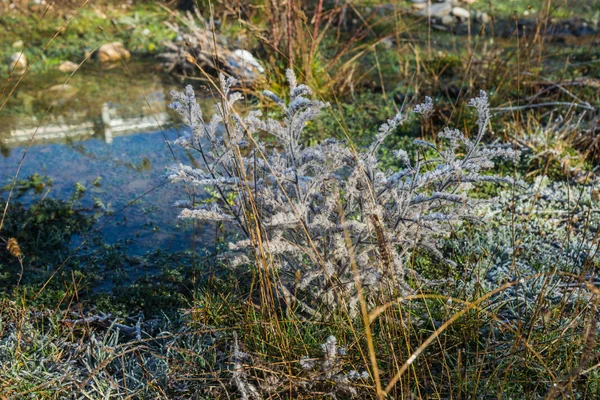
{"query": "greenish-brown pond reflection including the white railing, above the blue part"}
[(93, 103)]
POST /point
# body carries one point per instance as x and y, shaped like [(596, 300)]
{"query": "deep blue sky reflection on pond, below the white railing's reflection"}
[(114, 174)]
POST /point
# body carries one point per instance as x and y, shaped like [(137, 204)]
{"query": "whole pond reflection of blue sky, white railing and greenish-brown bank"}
[(114, 145)]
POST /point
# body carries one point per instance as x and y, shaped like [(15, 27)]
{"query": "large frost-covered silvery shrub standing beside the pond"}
[(326, 218)]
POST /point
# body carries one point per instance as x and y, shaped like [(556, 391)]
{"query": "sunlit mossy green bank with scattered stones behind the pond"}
[(140, 27)]
